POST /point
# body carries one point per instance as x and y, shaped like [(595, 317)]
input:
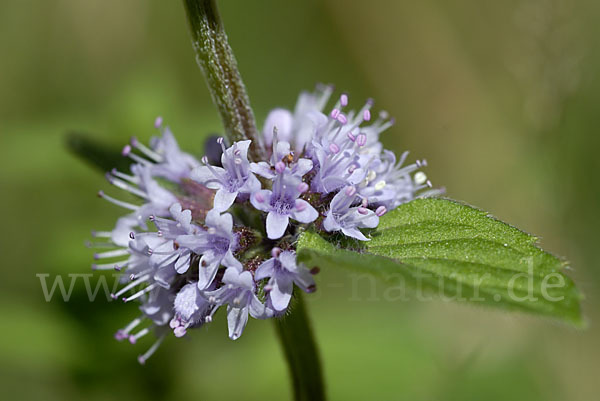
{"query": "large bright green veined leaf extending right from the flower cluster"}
[(447, 248)]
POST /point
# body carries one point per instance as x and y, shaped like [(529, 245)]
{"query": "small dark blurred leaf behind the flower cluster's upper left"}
[(98, 154)]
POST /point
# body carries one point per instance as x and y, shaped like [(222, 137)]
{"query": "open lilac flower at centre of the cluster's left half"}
[(216, 245)]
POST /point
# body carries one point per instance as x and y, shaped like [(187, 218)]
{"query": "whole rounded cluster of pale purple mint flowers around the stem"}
[(221, 232)]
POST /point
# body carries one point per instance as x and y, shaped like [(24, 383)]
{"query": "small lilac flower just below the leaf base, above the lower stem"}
[(283, 272)]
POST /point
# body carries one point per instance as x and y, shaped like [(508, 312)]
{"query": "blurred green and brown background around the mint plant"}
[(502, 98)]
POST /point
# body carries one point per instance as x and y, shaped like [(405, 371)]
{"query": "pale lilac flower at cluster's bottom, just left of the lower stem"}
[(239, 294)]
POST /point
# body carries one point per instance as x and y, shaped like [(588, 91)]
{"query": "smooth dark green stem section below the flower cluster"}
[(295, 334)]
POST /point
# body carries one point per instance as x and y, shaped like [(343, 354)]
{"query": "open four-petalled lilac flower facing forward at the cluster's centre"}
[(283, 203)]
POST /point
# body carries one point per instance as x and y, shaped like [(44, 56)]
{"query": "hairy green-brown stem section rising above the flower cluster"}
[(217, 62)]
